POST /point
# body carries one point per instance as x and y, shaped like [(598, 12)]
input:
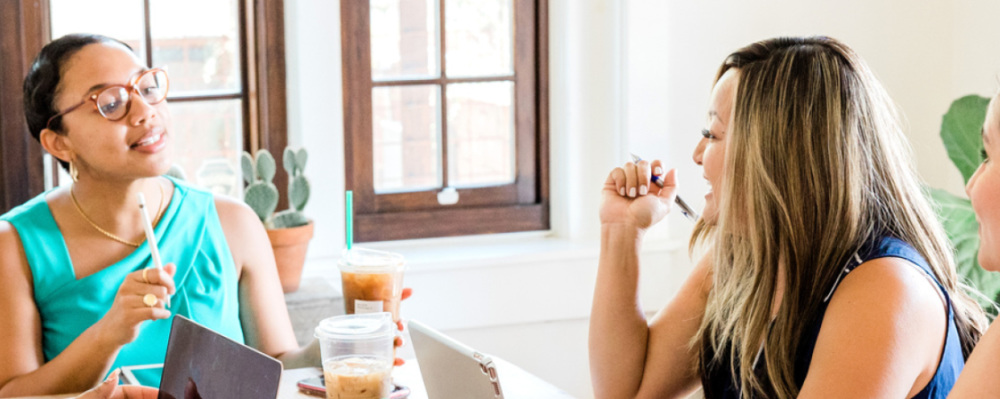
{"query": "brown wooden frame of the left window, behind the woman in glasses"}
[(26, 30)]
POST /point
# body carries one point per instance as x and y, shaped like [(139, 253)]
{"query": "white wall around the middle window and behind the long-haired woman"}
[(631, 75)]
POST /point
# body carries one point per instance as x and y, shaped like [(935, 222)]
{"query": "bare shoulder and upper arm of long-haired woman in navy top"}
[(883, 305)]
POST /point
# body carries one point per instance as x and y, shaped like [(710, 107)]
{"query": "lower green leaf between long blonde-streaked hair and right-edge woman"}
[(963, 231)]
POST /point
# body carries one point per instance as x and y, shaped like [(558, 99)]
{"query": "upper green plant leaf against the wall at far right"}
[(961, 131)]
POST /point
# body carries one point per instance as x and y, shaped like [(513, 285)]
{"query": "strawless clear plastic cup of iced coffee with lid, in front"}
[(357, 355)]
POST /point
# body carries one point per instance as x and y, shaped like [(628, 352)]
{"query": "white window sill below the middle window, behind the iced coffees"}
[(509, 279)]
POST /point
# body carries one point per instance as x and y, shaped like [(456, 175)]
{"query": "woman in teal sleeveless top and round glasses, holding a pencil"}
[(78, 294)]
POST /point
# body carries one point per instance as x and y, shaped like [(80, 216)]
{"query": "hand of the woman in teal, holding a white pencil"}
[(133, 305)]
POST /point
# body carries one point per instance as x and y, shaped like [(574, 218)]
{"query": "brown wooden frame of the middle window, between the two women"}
[(521, 206)]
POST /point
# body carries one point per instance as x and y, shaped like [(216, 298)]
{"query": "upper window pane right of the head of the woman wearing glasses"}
[(198, 42)]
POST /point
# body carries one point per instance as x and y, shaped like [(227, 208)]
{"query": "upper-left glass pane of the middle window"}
[(404, 36)]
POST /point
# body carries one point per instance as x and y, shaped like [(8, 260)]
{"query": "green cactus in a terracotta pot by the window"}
[(288, 230)]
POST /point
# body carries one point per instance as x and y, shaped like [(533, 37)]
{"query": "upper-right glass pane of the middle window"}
[(478, 37)]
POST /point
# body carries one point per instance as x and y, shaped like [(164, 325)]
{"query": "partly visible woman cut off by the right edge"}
[(978, 380)]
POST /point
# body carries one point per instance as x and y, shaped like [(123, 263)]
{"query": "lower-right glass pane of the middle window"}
[(481, 148)]
